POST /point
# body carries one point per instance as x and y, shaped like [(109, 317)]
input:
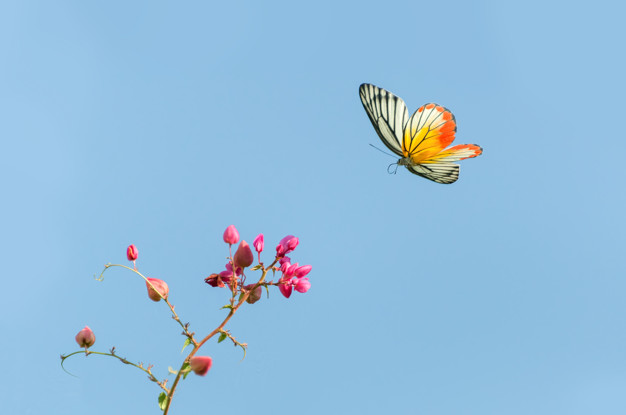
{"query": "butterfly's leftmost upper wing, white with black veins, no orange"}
[(388, 114)]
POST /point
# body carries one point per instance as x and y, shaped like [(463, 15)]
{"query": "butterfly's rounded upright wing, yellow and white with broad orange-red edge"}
[(429, 130)]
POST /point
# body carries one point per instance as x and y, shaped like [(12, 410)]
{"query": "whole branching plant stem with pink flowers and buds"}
[(292, 276)]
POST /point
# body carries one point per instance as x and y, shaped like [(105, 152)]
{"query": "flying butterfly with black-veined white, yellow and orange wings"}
[(420, 140)]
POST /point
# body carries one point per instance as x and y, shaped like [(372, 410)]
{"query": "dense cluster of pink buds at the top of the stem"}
[(293, 276)]
